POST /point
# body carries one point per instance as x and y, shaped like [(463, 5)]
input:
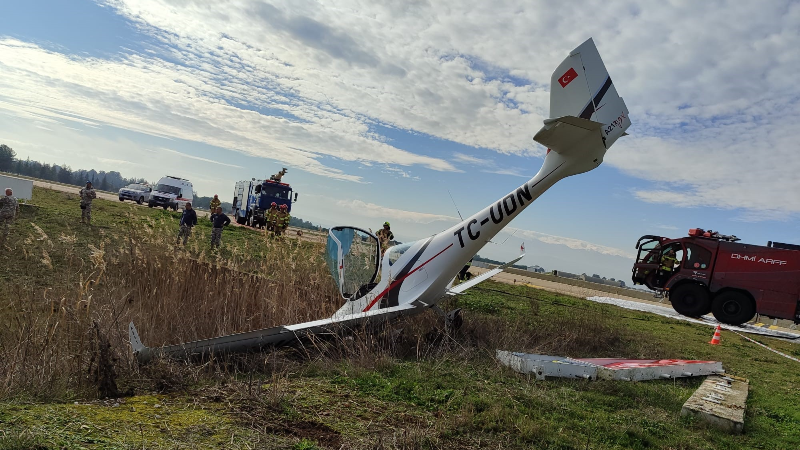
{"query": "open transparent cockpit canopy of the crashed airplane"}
[(352, 256)]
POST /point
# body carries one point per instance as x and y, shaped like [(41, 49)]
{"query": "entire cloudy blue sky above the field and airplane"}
[(379, 110)]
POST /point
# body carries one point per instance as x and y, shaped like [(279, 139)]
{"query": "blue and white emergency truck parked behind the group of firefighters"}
[(252, 199)]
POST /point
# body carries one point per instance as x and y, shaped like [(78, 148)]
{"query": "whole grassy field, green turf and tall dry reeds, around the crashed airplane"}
[(68, 292)]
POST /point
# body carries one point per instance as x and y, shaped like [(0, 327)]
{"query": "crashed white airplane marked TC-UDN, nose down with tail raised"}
[(587, 116)]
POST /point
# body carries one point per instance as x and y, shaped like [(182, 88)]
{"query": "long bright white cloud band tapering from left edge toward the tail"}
[(159, 98)]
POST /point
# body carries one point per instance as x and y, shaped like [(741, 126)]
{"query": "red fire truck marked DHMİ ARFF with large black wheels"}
[(710, 272)]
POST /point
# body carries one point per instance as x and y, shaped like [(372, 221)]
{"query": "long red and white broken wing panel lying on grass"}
[(544, 366)]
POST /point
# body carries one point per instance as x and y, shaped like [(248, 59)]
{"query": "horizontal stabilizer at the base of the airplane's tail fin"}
[(568, 133)]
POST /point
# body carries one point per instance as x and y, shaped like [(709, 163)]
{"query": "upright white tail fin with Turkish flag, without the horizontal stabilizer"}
[(582, 88)]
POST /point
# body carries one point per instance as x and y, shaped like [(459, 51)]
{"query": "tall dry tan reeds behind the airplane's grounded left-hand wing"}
[(51, 335)]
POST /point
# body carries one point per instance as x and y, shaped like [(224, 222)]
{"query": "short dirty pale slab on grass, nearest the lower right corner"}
[(720, 401)]
